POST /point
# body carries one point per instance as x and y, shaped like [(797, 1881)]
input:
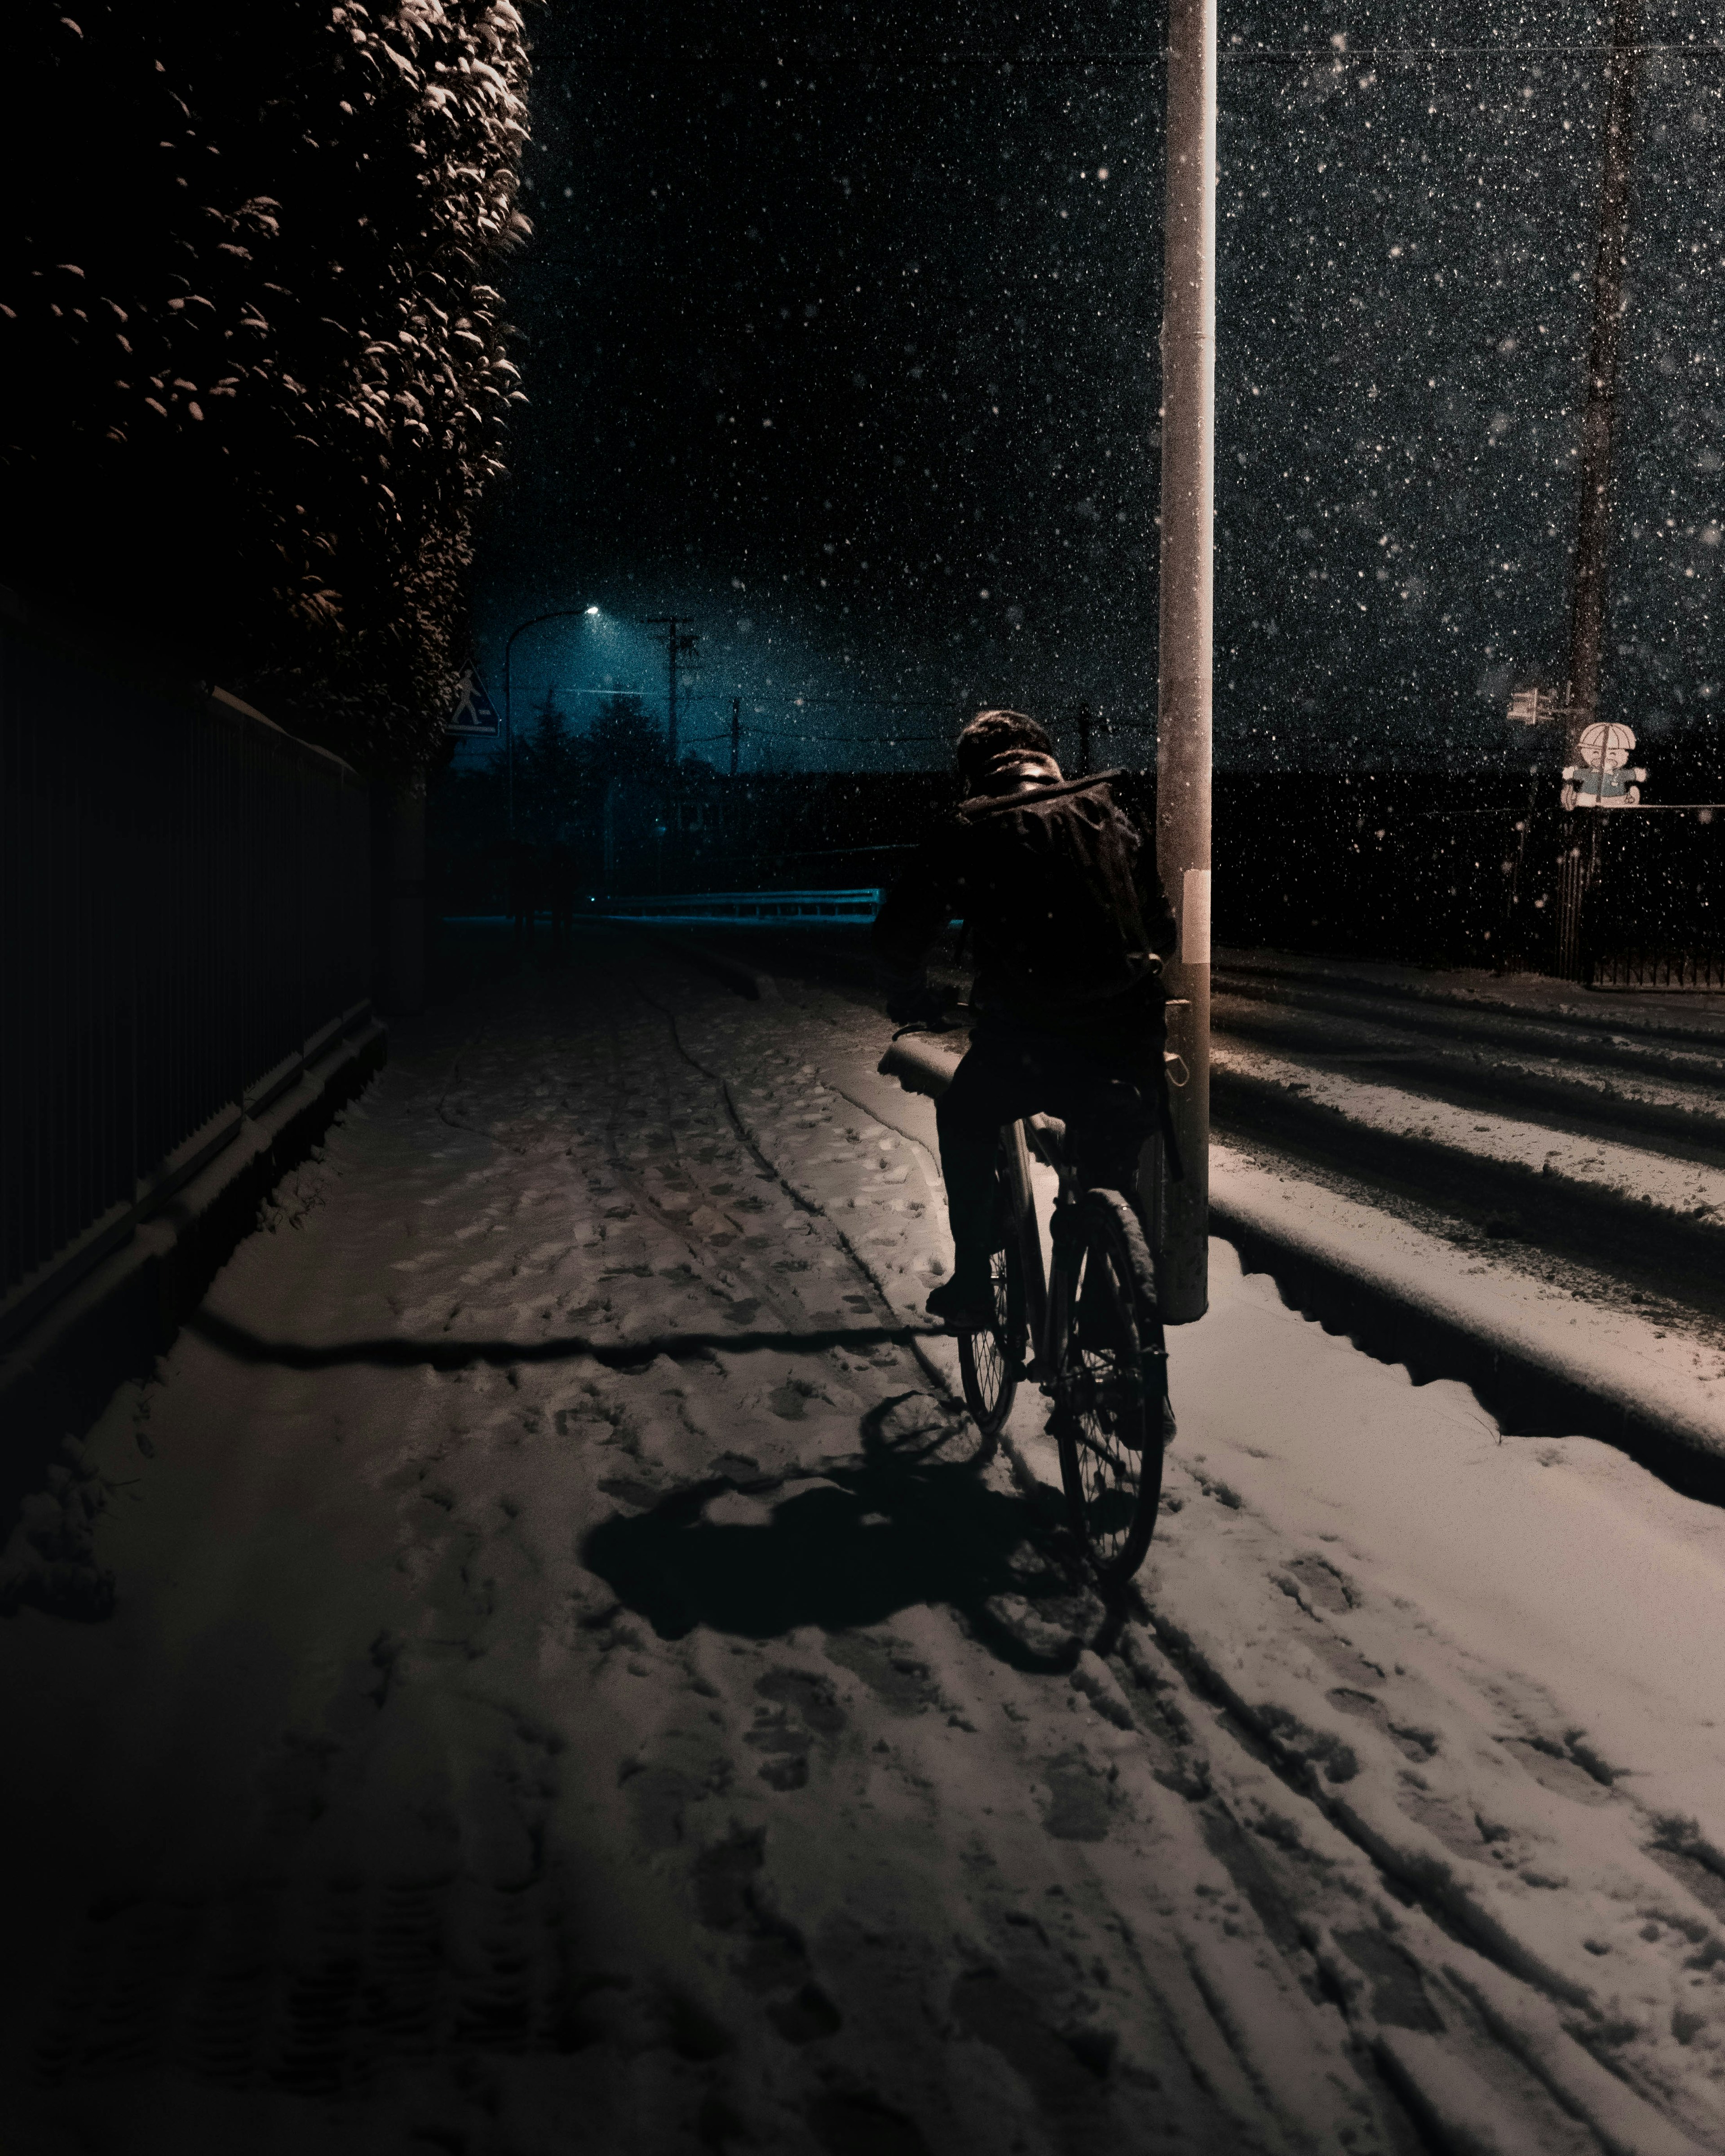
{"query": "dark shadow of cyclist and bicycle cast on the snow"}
[(883, 1532)]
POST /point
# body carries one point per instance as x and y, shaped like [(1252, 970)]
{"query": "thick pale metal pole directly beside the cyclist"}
[(1183, 689)]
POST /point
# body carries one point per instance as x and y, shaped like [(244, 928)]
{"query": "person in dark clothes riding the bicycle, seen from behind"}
[(1068, 920)]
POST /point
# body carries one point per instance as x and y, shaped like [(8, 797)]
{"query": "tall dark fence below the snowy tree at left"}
[(187, 926)]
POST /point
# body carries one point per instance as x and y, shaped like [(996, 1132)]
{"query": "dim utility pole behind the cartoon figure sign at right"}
[(1599, 426)]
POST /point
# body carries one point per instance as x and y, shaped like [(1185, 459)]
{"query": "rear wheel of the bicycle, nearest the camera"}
[(1112, 1390)]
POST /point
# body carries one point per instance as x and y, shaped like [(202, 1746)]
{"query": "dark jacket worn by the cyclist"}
[(1062, 900)]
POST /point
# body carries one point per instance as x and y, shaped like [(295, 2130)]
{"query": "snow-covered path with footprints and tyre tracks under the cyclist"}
[(575, 1685)]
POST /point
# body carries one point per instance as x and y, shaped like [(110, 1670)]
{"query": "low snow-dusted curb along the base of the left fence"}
[(126, 1312)]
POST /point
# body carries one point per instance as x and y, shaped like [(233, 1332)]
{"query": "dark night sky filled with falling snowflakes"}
[(840, 337)]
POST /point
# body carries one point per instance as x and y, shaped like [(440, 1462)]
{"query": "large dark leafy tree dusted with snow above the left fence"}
[(253, 374)]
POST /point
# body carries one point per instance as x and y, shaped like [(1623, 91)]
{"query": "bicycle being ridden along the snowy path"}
[(1096, 1346)]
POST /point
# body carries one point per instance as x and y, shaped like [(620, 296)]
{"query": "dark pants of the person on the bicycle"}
[(1099, 1090)]
